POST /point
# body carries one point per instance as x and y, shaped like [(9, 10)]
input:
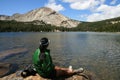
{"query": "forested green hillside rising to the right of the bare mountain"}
[(109, 25)]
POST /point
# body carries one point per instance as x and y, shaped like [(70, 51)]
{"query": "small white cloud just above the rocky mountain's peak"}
[(53, 5)]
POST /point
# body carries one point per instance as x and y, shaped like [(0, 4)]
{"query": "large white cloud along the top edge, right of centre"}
[(83, 4)]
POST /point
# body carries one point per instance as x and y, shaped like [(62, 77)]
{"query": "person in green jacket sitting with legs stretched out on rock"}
[(43, 63)]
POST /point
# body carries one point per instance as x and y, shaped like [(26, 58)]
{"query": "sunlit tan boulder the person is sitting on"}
[(82, 76)]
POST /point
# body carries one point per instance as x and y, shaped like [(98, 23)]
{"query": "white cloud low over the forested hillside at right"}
[(104, 12)]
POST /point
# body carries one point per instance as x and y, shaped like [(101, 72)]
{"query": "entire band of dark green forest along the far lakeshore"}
[(111, 25)]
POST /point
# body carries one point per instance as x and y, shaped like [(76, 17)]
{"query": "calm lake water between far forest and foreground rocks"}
[(96, 52)]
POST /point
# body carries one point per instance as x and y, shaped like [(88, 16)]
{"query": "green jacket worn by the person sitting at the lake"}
[(44, 67)]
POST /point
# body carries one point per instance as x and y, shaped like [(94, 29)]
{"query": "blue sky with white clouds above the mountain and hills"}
[(82, 10)]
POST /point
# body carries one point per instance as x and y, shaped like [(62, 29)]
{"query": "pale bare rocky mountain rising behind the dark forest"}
[(44, 14)]
